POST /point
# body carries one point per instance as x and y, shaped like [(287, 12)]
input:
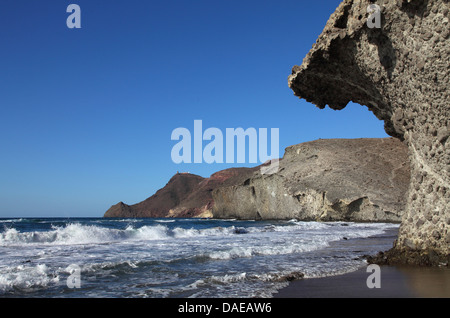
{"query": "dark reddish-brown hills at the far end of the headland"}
[(185, 195)]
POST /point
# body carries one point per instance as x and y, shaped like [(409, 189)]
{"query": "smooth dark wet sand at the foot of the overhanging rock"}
[(395, 282)]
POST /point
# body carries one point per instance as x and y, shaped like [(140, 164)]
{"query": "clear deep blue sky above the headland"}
[(86, 115)]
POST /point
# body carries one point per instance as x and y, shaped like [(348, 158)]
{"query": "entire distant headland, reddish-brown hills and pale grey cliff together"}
[(329, 180)]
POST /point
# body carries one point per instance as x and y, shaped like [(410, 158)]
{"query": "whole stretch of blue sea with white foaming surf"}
[(99, 257)]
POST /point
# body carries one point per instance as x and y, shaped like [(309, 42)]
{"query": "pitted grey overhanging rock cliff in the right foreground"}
[(400, 72)]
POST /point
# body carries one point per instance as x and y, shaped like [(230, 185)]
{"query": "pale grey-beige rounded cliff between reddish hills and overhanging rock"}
[(325, 180)]
